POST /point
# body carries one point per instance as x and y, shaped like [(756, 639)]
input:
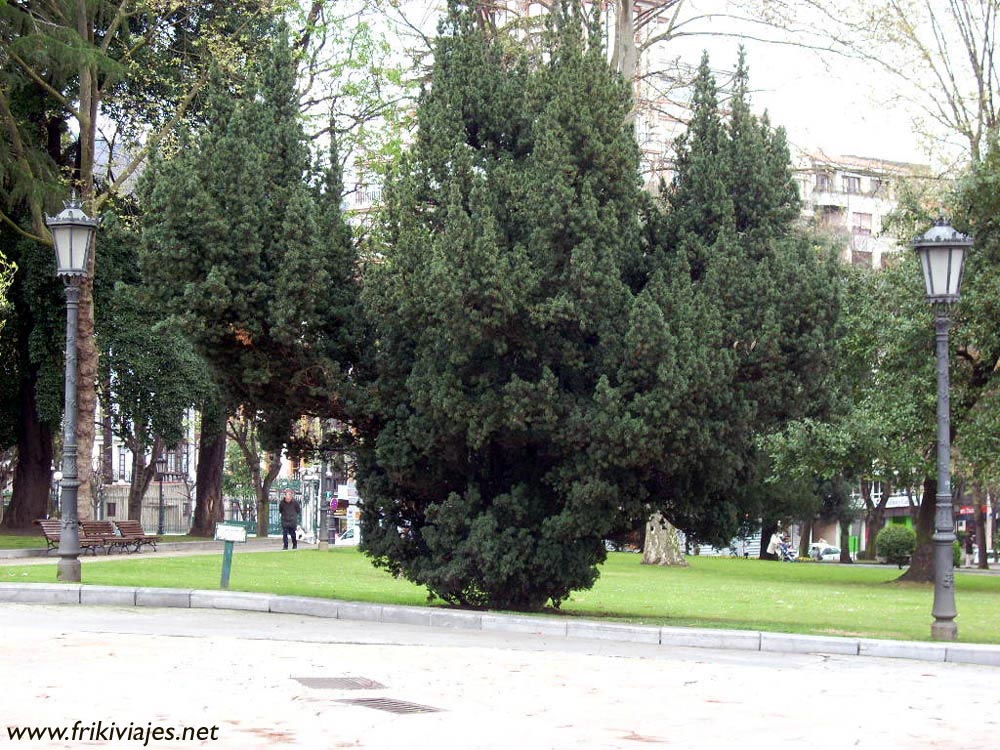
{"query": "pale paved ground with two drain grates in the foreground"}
[(236, 676)]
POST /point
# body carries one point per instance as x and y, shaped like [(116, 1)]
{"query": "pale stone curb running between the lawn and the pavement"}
[(741, 640)]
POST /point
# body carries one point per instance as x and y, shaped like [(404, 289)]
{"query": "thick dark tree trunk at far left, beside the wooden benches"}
[(33, 471)]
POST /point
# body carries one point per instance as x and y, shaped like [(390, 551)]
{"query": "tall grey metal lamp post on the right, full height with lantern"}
[(942, 252)]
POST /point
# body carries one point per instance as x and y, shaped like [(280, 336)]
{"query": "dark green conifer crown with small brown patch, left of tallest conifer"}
[(253, 260)]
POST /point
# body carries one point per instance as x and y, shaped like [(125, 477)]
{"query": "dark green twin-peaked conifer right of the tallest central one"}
[(767, 299)]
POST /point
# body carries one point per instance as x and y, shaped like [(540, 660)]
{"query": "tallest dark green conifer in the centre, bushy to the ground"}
[(498, 311)]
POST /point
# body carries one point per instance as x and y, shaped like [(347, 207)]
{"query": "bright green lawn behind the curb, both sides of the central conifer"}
[(712, 592)]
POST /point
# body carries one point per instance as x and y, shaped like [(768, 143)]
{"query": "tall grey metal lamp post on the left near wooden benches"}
[(73, 236)]
